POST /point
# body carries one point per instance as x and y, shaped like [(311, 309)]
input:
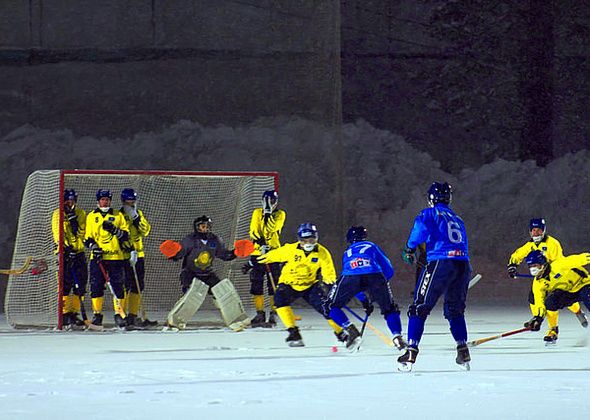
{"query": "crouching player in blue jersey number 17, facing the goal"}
[(365, 268)]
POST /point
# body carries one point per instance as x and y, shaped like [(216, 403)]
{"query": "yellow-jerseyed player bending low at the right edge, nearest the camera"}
[(561, 283)]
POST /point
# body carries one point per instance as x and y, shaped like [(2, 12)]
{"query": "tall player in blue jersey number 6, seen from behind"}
[(447, 273)]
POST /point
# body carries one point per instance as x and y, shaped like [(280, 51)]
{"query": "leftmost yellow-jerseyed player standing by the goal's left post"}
[(75, 272)]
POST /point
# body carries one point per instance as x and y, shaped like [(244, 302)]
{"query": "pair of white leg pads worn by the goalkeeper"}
[(226, 299)]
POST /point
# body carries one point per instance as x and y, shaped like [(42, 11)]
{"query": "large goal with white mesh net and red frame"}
[(169, 200)]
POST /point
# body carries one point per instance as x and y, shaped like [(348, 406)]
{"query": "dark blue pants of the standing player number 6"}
[(448, 278)]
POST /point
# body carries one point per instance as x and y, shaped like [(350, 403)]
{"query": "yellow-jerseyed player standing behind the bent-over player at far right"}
[(552, 250)]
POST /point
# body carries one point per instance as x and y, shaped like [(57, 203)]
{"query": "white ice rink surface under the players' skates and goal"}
[(220, 374)]
